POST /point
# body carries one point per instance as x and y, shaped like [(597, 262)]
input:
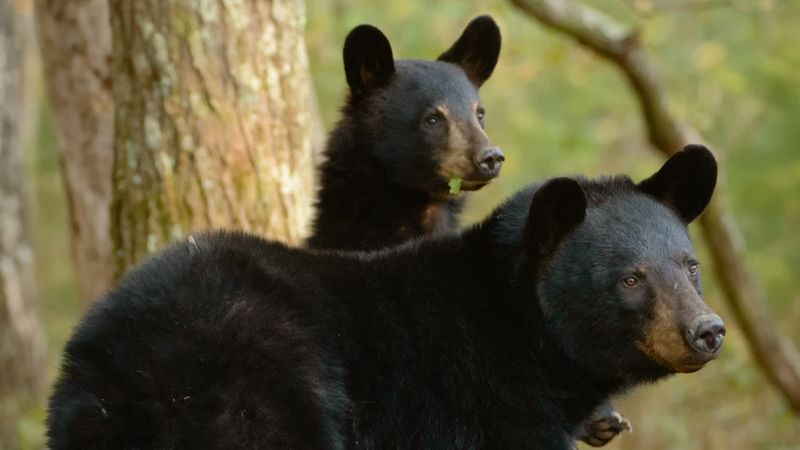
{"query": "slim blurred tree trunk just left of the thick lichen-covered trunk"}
[(75, 41)]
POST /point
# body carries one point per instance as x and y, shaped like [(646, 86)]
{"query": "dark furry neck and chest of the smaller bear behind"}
[(360, 208)]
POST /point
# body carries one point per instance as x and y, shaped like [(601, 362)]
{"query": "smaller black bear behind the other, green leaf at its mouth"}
[(410, 138)]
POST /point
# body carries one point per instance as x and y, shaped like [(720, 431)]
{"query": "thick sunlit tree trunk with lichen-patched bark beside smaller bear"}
[(212, 122)]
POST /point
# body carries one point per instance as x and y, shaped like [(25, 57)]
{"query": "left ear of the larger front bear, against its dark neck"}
[(557, 207)]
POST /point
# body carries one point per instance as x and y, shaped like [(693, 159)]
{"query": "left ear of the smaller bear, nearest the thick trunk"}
[(368, 60)]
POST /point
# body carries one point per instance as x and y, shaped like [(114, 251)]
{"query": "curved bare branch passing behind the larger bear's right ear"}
[(776, 355)]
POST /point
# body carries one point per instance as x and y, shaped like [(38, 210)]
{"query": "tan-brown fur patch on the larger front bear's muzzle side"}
[(663, 341)]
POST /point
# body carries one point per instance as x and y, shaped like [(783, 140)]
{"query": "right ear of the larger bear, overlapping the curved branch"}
[(685, 182)]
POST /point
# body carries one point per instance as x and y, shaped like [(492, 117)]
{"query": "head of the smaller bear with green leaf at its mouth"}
[(424, 119)]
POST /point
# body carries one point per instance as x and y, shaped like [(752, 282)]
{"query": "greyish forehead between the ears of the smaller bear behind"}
[(433, 80)]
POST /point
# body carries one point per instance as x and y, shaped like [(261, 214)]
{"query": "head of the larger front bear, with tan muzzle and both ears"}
[(618, 281)]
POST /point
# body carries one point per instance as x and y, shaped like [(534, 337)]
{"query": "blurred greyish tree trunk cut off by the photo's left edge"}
[(21, 334)]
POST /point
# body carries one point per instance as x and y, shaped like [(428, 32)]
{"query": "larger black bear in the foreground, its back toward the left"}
[(508, 335)]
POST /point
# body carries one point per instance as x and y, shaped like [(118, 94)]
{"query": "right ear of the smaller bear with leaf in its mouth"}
[(477, 50)]
